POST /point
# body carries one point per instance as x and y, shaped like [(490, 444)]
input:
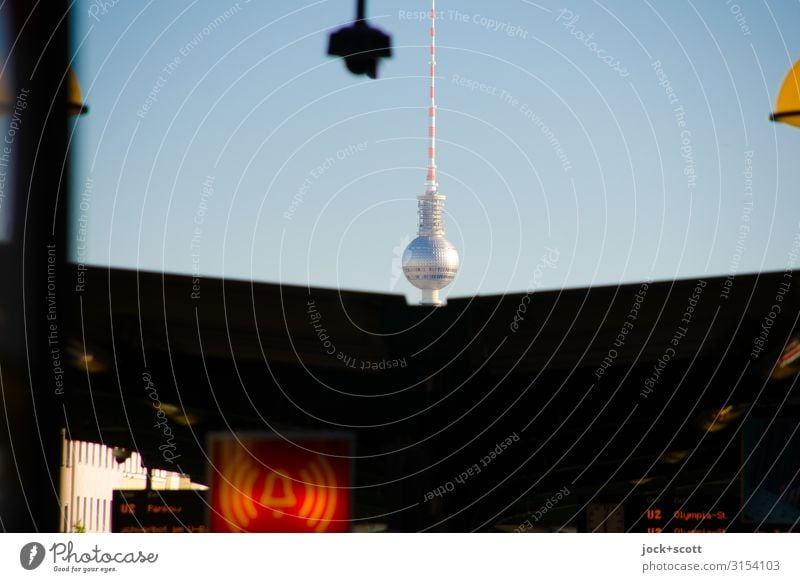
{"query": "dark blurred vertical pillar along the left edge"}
[(33, 263)]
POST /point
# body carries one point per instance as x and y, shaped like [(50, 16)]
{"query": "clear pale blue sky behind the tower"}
[(556, 131)]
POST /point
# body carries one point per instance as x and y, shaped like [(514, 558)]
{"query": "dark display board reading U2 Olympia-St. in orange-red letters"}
[(677, 515)]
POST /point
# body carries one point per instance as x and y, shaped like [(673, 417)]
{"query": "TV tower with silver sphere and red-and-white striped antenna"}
[(430, 262)]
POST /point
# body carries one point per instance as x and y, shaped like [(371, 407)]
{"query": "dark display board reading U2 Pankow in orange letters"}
[(158, 511)]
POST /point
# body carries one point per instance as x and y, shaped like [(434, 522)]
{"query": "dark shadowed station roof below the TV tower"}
[(601, 384)]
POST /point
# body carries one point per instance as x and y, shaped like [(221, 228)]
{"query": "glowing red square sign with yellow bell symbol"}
[(268, 484)]
